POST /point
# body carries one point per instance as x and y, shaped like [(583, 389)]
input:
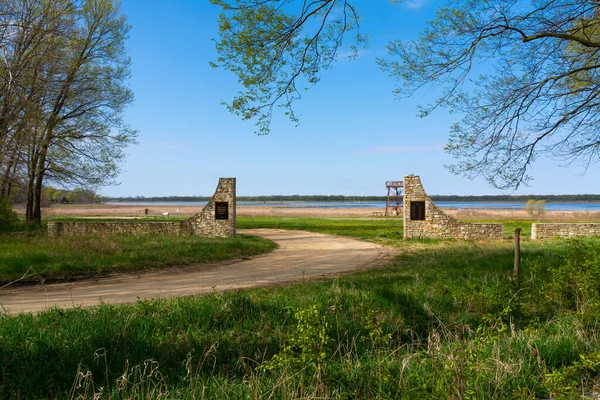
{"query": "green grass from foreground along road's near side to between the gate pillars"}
[(444, 319)]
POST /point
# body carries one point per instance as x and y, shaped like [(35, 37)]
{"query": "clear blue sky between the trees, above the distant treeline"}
[(353, 134)]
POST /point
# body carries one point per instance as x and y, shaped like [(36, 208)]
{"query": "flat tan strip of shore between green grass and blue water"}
[(128, 211)]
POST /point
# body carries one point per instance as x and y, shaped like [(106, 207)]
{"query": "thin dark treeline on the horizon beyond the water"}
[(280, 198)]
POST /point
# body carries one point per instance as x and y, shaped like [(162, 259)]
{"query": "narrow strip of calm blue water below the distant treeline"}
[(375, 204)]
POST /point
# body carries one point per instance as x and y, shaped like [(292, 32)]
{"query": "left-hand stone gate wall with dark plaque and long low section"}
[(216, 219)]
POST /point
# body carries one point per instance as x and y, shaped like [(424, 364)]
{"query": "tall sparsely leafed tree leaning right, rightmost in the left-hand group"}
[(83, 133)]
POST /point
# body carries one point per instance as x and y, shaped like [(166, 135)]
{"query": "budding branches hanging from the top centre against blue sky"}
[(278, 47)]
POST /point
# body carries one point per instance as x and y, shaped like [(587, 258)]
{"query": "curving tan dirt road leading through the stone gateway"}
[(300, 255)]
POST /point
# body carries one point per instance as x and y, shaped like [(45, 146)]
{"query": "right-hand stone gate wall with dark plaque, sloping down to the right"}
[(434, 223)]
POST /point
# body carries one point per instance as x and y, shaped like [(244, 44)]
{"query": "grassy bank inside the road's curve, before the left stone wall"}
[(32, 253)]
